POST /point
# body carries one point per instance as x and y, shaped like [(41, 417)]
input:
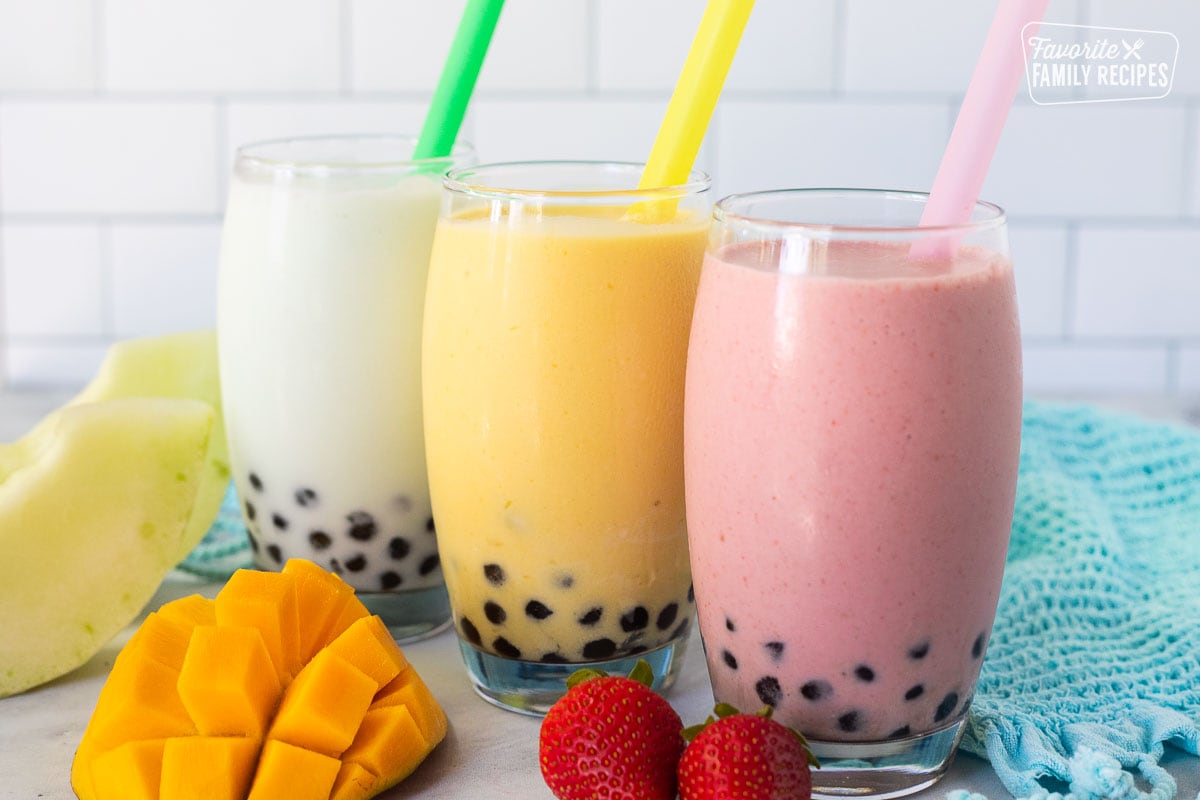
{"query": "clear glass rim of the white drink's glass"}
[(257, 154)]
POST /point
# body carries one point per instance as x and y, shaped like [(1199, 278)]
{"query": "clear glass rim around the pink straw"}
[(723, 212)]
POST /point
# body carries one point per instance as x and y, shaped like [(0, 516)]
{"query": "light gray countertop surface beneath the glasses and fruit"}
[(488, 754)]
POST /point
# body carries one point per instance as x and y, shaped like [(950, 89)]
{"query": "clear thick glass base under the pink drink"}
[(884, 769)]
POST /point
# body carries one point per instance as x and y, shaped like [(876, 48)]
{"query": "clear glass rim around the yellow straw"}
[(455, 181)]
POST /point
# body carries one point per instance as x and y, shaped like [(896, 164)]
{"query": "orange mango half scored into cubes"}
[(284, 687)]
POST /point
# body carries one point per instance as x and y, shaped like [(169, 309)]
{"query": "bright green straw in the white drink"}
[(451, 99)]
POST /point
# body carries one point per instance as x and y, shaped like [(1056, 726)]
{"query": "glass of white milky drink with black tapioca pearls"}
[(325, 256)]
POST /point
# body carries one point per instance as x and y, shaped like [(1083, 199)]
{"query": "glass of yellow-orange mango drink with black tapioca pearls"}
[(556, 335)]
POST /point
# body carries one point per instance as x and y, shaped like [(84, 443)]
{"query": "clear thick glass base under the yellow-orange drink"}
[(532, 687)]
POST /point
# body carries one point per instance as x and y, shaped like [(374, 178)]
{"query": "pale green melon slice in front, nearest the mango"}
[(95, 506)]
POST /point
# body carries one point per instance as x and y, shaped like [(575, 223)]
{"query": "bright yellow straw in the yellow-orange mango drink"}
[(695, 95)]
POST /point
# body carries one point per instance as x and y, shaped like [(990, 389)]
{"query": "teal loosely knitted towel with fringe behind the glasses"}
[(1095, 658)]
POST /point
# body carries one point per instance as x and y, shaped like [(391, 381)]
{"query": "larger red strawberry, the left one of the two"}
[(611, 737)]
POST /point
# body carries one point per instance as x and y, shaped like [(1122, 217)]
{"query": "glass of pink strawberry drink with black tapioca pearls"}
[(853, 429)]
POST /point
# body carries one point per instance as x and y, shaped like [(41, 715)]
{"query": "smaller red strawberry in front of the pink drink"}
[(746, 757)]
